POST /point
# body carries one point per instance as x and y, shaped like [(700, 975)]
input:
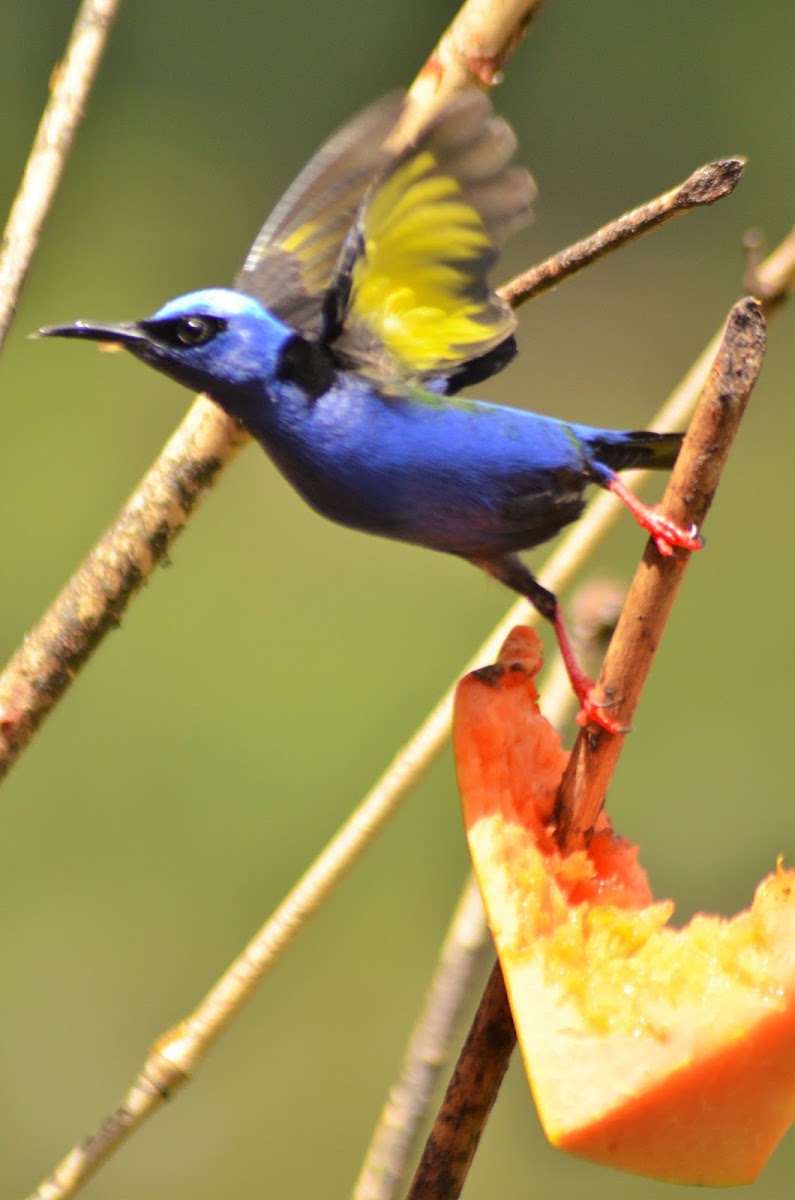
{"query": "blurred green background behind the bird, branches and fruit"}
[(262, 682)]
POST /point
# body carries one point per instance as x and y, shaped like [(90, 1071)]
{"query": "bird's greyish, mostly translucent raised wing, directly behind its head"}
[(290, 266)]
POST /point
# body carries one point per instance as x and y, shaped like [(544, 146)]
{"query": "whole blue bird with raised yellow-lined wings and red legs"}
[(361, 313)]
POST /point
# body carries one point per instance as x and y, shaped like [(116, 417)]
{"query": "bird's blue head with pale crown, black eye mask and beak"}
[(219, 341)]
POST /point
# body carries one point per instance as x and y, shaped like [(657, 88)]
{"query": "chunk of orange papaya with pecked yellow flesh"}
[(667, 1053)]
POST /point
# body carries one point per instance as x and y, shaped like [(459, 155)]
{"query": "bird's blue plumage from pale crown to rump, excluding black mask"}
[(455, 475)]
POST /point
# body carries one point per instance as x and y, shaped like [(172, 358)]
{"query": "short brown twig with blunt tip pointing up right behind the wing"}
[(704, 187)]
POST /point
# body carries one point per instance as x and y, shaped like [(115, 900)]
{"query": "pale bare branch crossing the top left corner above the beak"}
[(70, 88)]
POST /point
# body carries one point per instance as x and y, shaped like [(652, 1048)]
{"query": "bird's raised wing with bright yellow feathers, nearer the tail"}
[(410, 298)]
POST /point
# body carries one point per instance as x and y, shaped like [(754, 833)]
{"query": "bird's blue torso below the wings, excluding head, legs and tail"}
[(462, 477)]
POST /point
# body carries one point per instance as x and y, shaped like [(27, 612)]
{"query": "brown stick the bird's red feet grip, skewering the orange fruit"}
[(485, 1059)]
